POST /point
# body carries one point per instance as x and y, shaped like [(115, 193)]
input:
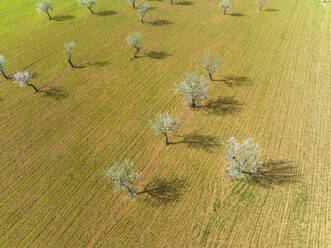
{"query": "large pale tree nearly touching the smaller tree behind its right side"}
[(193, 87)]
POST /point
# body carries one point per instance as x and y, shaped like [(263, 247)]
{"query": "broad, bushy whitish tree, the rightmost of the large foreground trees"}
[(244, 159)]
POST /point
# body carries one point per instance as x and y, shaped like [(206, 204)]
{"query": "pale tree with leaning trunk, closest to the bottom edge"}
[(122, 176)]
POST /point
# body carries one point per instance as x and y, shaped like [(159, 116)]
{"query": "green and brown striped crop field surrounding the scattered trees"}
[(274, 86)]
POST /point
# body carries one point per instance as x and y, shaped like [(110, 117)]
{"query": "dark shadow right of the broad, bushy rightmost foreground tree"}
[(276, 172)]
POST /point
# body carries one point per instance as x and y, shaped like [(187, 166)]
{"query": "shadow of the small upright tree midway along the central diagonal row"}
[(199, 141)]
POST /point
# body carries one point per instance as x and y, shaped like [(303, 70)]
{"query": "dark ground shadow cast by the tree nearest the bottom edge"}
[(163, 191)]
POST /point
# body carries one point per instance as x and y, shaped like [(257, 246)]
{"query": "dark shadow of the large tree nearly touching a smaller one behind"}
[(222, 106)]
